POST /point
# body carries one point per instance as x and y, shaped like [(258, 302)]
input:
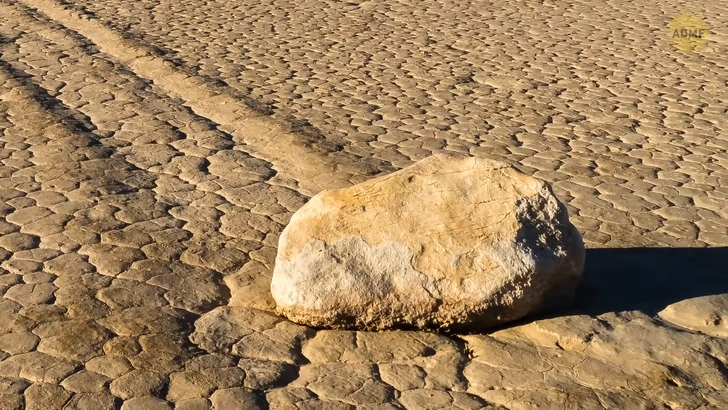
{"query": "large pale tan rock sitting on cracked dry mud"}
[(451, 242)]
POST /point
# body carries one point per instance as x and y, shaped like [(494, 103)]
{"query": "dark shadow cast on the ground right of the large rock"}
[(649, 279)]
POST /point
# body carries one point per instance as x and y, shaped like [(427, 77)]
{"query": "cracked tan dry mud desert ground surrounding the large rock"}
[(152, 152)]
